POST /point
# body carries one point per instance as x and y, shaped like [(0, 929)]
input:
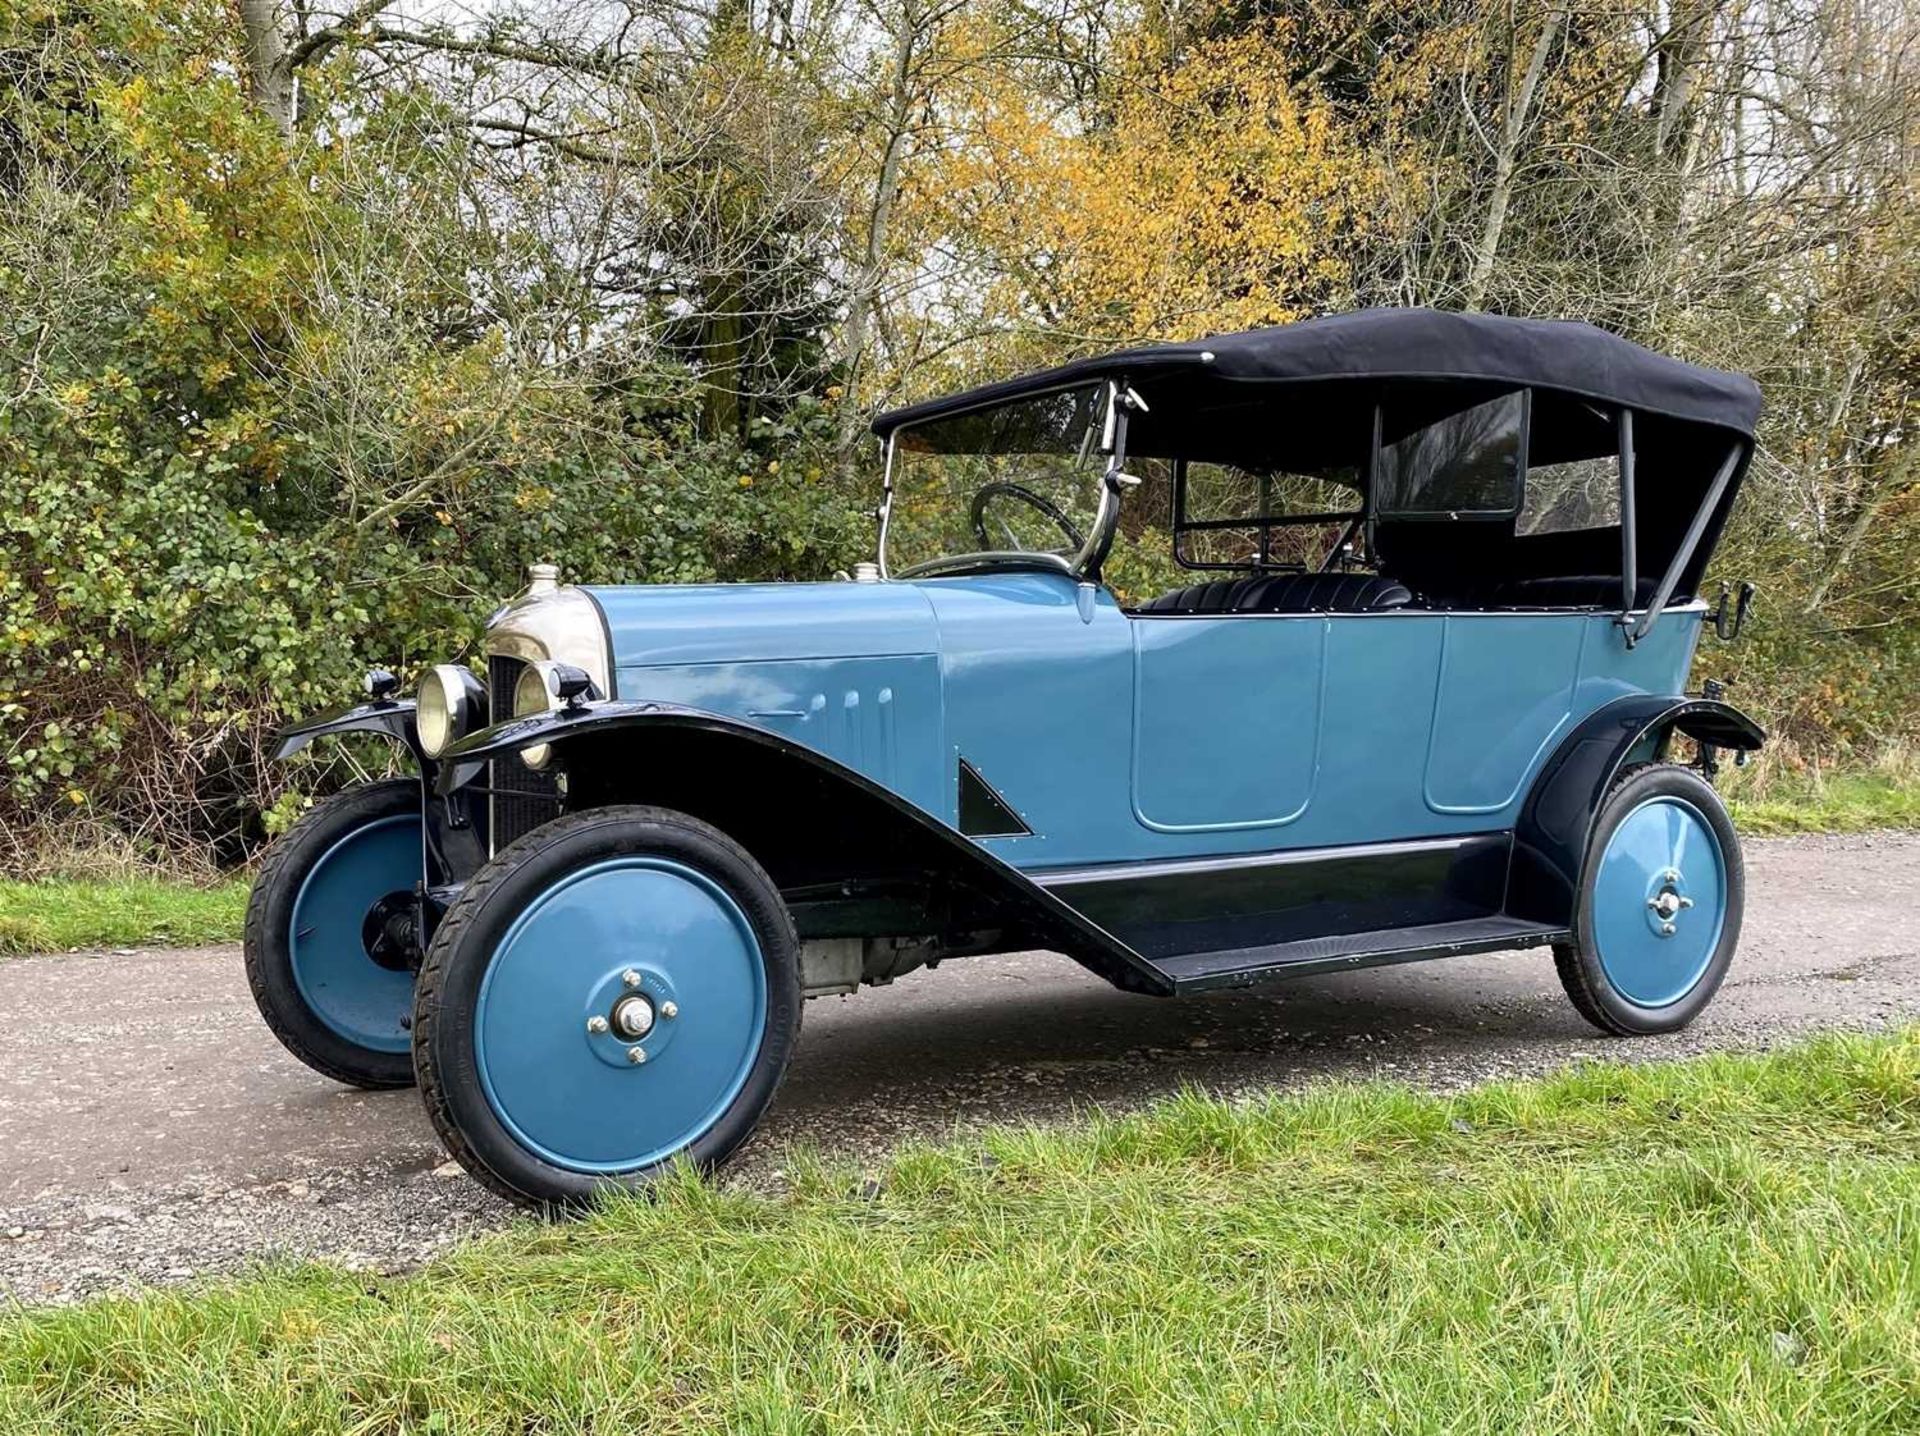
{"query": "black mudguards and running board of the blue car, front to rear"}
[(1159, 926)]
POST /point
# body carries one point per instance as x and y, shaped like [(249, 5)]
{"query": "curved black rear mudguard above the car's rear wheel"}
[(1552, 832)]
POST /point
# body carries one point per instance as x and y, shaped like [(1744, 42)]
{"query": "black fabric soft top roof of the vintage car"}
[(1391, 347)]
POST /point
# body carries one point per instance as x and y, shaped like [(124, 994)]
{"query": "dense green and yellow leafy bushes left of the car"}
[(260, 439)]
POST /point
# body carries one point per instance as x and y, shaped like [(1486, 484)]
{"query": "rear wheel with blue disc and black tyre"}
[(1660, 905)]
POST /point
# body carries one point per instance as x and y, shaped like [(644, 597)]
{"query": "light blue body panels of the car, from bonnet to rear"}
[(1124, 738)]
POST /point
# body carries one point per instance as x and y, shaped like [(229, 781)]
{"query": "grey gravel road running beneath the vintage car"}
[(153, 1130)]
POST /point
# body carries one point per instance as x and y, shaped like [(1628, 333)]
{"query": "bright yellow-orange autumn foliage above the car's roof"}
[(1214, 195)]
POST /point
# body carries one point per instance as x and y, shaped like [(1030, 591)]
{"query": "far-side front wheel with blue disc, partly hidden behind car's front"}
[(331, 990)]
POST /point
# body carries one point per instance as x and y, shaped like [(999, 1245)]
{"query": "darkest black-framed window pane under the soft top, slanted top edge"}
[(1466, 466)]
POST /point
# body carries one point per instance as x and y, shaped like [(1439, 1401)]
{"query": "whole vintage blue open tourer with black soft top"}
[(1422, 698)]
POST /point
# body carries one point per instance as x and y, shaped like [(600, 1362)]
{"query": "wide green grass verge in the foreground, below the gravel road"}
[(1717, 1245)]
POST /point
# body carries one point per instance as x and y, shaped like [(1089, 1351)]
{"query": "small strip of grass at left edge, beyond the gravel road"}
[(62, 915)]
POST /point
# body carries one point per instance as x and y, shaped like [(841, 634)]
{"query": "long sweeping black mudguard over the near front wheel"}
[(1082, 940)]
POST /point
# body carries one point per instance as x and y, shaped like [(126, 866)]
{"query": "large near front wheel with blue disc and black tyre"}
[(613, 993)]
